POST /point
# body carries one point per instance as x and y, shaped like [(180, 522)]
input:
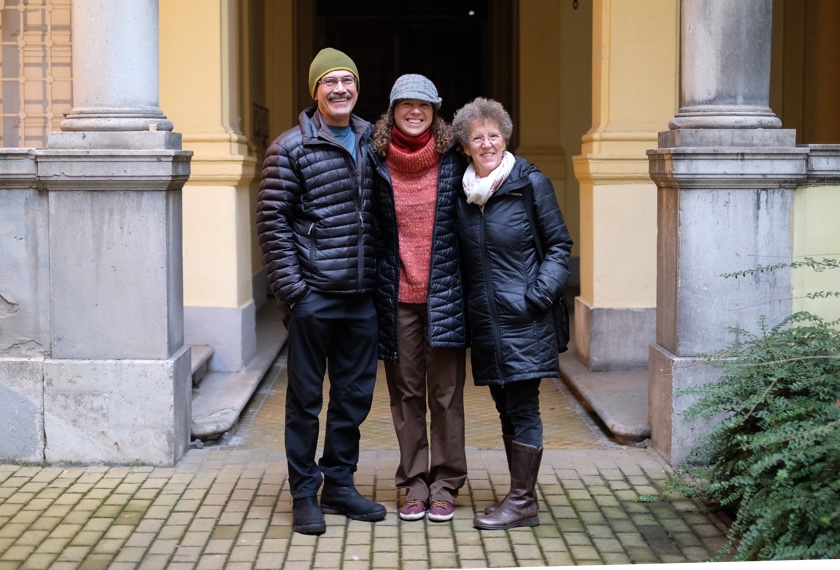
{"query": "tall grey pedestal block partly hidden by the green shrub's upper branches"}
[(705, 234)]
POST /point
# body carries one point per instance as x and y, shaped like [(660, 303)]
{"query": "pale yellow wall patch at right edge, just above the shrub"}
[(816, 234)]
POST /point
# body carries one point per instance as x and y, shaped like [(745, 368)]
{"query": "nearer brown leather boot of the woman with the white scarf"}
[(519, 507)]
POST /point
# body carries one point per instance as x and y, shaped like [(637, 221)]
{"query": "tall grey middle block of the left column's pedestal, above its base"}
[(117, 284)]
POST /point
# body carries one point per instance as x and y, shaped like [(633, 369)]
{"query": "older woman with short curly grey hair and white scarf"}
[(515, 271)]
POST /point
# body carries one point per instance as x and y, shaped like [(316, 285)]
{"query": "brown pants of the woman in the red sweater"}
[(433, 467)]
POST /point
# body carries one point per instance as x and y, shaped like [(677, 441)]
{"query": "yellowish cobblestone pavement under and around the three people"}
[(228, 505)]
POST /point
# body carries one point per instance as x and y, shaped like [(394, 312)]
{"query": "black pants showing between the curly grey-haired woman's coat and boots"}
[(518, 404)]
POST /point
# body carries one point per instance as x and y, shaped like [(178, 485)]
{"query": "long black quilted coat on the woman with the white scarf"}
[(510, 293)]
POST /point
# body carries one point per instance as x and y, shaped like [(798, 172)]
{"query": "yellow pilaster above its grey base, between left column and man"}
[(202, 81)]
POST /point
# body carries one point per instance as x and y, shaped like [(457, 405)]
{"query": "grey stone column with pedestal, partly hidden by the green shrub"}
[(725, 176)]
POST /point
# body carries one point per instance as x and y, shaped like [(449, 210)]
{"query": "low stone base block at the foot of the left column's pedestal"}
[(118, 411)]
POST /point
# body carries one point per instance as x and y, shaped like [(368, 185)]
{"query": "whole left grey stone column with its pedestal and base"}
[(117, 383)]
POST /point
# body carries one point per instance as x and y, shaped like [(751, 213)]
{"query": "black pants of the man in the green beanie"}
[(338, 334)]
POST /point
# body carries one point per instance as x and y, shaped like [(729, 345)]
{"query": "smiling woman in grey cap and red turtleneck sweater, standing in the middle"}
[(419, 296)]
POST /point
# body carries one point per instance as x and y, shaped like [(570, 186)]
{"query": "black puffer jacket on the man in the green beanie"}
[(315, 216)]
